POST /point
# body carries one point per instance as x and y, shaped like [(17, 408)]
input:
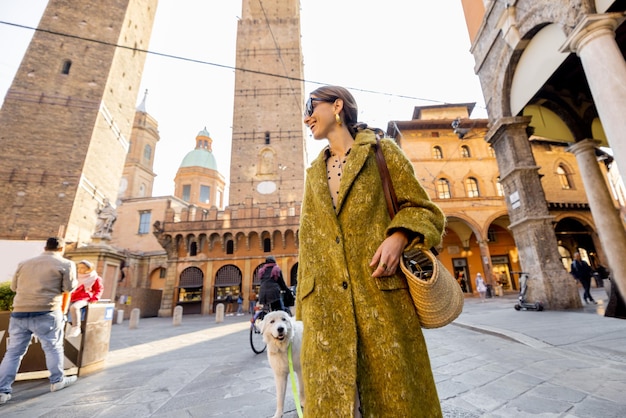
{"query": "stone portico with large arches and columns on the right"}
[(543, 69)]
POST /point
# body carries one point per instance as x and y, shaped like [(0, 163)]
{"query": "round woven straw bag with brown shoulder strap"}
[(437, 296)]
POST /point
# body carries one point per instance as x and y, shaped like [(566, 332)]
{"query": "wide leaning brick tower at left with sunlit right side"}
[(67, 117)]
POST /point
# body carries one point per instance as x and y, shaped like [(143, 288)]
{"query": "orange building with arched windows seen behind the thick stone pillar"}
[(459, 170)]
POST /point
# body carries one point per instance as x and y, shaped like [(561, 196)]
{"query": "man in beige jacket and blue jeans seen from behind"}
[(40, 285)]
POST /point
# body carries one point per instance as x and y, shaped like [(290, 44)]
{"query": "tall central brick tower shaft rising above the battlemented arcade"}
[(268, 144)]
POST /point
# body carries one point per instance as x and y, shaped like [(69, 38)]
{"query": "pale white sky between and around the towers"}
[(391, 55)]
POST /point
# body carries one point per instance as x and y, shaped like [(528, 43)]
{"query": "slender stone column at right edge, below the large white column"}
[(605, 215)]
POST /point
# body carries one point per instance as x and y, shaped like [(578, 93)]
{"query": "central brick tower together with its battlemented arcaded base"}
[(213, 252)]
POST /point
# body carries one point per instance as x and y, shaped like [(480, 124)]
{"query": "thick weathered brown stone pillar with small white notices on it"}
[(531, 222)]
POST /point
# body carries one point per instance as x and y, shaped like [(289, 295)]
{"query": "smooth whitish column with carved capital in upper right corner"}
[(593, 40)]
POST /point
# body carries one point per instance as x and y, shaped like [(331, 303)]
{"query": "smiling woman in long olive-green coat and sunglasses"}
[(363, 347)]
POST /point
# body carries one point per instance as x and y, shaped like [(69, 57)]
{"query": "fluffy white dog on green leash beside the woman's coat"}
[(279, 331)]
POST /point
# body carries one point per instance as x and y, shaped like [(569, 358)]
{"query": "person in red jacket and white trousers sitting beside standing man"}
[(89, 290)]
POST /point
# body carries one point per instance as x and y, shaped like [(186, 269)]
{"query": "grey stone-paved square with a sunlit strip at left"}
[(492, 362)]
